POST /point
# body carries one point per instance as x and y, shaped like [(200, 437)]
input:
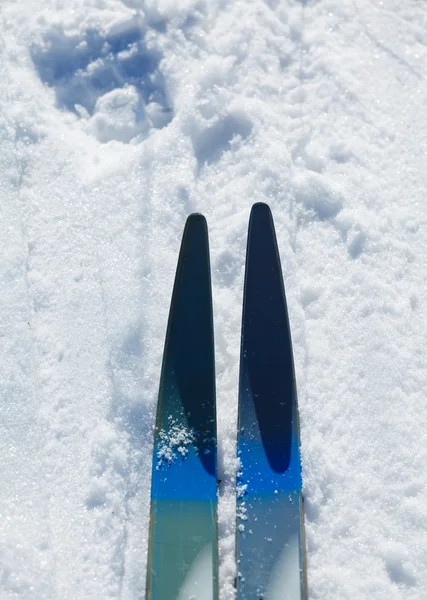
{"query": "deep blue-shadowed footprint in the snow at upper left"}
[(110, 78)]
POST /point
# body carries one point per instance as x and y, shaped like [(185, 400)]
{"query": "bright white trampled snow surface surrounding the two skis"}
[(118, 119)]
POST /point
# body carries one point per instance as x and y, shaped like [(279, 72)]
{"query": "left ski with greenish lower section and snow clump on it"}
[(182, 553)]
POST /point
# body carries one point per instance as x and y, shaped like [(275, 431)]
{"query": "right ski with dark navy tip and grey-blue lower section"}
[(270, 550)]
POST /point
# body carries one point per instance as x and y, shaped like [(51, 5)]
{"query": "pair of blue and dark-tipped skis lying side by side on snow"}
[(183, 543)]
